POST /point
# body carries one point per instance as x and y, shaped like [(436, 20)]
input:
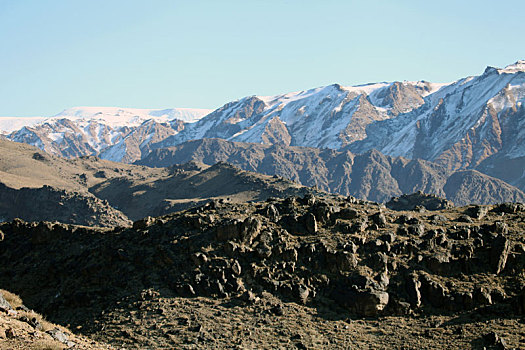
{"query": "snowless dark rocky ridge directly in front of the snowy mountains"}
[(371, 176)]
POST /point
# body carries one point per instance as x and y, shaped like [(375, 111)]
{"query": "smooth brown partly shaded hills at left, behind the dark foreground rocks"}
[(37, 186)]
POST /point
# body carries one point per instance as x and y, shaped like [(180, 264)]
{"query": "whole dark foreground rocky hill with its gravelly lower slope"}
[(302, 272)]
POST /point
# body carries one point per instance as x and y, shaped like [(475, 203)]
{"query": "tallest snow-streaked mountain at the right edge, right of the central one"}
[(459, 125)]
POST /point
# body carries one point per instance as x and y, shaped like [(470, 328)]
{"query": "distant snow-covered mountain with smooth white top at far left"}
[(83, 131)]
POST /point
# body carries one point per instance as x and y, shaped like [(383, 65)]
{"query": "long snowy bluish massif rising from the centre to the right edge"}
[(476, 122)]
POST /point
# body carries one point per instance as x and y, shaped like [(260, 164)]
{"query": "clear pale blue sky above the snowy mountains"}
[(56, 54)]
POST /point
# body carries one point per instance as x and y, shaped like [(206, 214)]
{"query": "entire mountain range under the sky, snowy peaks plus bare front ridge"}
[(469, 128)]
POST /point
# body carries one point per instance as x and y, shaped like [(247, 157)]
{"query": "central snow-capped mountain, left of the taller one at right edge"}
[(327, 117)]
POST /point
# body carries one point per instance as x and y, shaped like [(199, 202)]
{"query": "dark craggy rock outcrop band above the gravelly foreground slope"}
[(313, 255)]
